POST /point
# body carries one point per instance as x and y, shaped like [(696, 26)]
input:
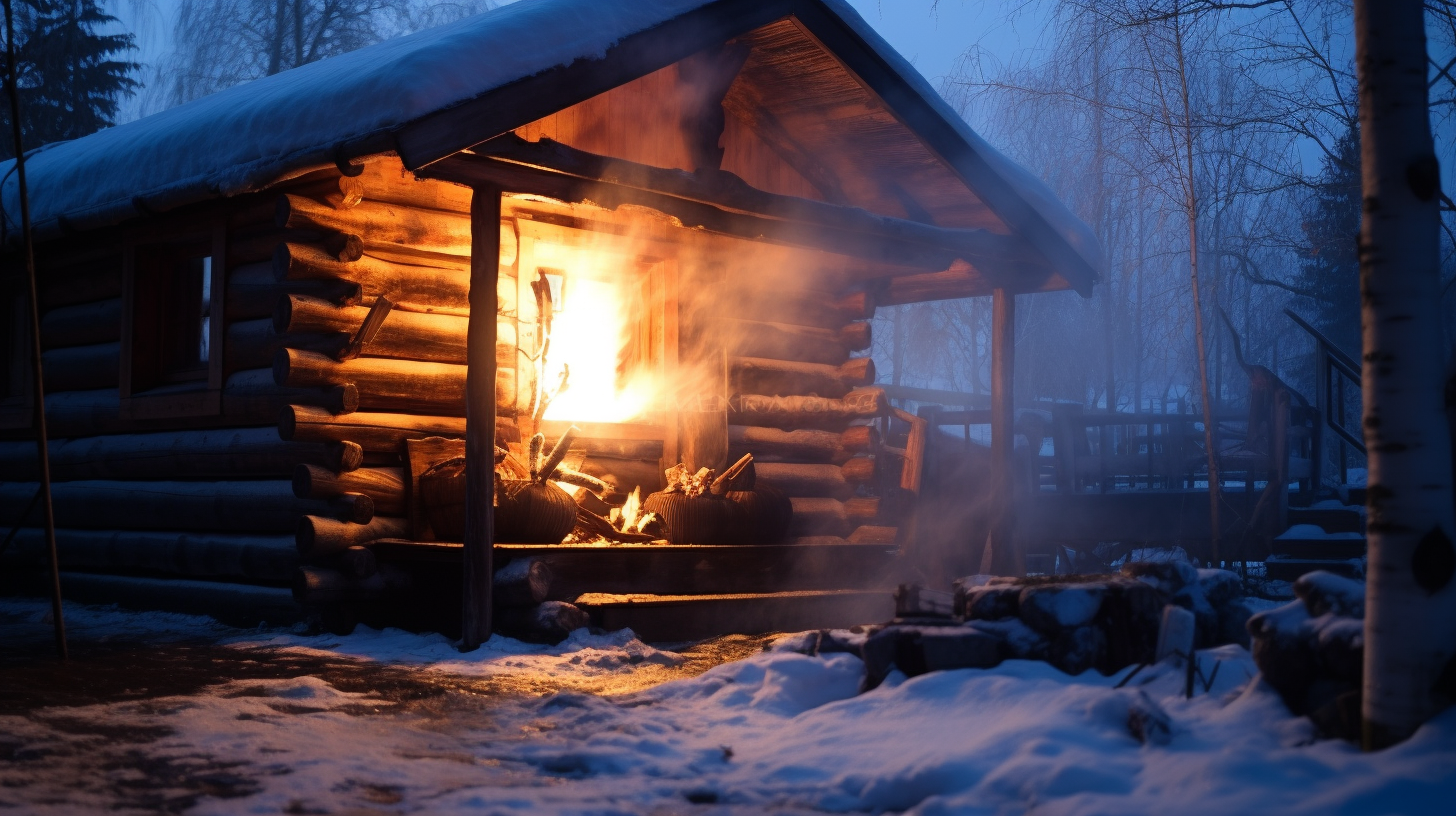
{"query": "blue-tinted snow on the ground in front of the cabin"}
[(774, 732)]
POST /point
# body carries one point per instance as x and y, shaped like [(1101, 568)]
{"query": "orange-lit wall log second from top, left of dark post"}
[(429, 231)]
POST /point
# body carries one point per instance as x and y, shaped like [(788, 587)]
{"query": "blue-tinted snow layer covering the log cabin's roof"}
[(253, 135)]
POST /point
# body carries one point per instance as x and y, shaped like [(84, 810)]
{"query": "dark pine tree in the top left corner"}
[(72, 79)]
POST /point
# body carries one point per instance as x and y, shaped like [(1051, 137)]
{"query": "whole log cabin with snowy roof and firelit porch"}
[(276, 317)]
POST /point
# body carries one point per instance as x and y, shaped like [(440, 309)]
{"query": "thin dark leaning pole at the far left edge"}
[(36, 337)]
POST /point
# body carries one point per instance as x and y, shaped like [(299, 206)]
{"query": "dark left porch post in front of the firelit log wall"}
[(480, 417)]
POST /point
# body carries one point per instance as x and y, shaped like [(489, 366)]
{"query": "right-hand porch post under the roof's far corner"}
[(1001, 554)]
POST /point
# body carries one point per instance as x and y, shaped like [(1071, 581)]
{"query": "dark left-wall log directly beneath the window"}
[(167, 455)]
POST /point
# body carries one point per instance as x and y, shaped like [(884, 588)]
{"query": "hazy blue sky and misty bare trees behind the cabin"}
[(1090, 97)]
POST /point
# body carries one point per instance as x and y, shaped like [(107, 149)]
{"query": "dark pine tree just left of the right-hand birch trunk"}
[(1330, 263)]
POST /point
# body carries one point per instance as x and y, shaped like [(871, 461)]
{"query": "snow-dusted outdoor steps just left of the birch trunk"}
[(1327, 537)]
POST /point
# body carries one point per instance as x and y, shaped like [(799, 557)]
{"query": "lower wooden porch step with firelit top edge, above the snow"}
[(675, 619)]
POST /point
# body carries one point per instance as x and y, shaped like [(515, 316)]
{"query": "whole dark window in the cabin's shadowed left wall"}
[(173, 345)]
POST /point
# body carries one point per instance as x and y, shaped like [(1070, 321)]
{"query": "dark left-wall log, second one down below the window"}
[(232, 506)]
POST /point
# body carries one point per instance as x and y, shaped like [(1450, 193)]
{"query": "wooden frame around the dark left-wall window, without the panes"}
[(183, 397)]
